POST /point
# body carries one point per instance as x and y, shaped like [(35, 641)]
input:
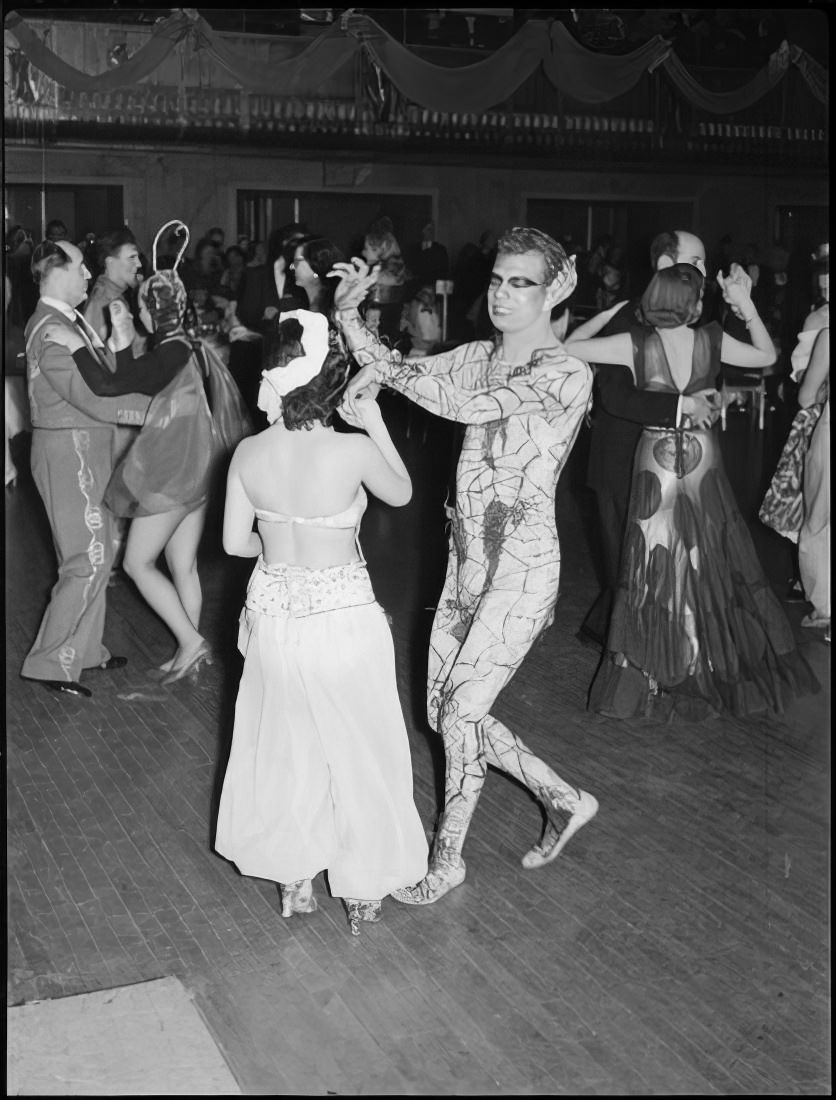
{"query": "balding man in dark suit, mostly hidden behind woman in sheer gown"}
[(620, 414)]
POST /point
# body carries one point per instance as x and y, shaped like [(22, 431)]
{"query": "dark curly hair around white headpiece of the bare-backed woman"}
[(317, 400)]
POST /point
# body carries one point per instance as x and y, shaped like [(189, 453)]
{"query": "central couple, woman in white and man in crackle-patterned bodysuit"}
[(320, 776)]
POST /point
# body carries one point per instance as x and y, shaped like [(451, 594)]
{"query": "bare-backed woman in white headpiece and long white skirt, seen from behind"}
[(320, 776)]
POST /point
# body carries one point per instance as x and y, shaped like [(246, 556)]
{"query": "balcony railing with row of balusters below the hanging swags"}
[(163, 114)]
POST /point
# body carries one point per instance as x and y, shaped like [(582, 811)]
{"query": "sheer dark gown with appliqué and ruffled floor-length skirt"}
[(696, 630)]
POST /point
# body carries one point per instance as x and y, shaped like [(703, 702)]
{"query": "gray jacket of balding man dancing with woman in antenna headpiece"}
[(58, 394)]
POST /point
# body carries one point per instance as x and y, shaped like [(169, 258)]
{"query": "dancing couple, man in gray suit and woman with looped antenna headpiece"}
[(80, 390)]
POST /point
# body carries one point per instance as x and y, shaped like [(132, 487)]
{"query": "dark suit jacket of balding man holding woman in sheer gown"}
[(621, 412)]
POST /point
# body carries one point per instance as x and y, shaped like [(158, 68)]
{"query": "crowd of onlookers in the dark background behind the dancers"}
[(222, 270)]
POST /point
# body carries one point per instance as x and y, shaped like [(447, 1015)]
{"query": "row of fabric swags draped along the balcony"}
[(577, 72)]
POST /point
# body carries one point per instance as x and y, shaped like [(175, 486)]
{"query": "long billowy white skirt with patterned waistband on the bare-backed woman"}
[(320, 775)]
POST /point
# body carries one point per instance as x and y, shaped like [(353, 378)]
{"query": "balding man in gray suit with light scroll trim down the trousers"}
[(73, 454)]
